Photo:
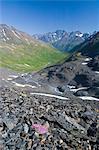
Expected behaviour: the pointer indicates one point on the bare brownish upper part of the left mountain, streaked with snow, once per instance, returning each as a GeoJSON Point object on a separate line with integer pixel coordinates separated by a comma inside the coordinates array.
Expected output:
{"type": "Point", "coordinates": [9, 34]}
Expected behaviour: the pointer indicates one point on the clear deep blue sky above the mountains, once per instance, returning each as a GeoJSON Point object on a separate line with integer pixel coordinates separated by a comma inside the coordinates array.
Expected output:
{"type": "Point", "coordinates": [37, 16]}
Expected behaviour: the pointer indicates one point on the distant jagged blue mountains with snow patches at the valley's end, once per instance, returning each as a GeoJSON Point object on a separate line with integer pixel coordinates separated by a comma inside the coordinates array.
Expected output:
{"type": "Point", "coordinates": [63, 40]}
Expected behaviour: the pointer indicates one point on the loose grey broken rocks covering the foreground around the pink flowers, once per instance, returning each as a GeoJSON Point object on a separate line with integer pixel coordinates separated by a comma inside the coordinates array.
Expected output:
{"type": "Point", "coordinates": [72, 124]}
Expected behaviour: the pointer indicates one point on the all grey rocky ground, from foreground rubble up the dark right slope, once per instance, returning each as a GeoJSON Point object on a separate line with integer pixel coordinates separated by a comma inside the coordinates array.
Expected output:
{"type": "Point", "coordinates": [56, 108]}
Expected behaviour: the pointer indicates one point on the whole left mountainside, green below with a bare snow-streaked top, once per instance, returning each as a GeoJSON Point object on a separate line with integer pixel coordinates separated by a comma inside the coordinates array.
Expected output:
{"type": "Point", "coordinates": [20, 51]}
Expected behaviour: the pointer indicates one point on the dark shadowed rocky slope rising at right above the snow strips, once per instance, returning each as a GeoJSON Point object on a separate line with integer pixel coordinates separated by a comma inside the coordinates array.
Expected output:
{"type": "Point", "coordinates": [81, 69]}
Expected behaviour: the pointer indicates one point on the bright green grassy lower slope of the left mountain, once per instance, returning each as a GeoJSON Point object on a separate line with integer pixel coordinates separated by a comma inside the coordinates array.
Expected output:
{"type": "Point", "coordinates": [29, 58]}
